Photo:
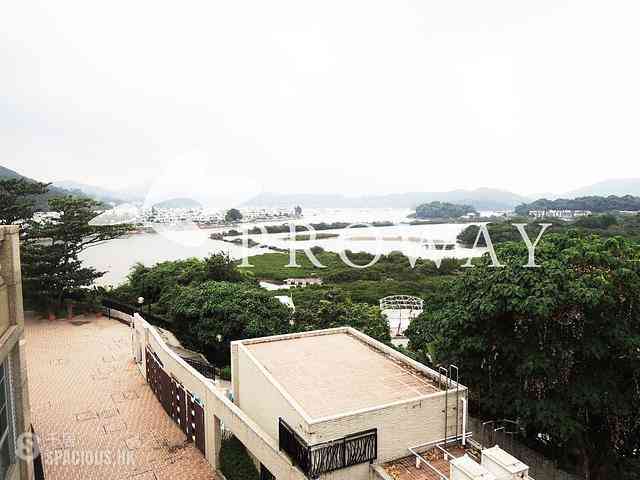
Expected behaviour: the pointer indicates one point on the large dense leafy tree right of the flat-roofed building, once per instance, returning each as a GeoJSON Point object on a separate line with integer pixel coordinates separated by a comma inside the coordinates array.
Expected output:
{"type": "Point", "coordinates": [557, 347]}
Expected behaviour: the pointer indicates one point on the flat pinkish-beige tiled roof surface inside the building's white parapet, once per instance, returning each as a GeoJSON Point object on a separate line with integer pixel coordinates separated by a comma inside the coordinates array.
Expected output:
{"type": "Point", "coordinates": [337, 373]}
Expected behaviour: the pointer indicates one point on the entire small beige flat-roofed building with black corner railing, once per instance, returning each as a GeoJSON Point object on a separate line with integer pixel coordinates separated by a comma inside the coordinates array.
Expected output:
{"type": "Point", "coordinates": [340, 390]}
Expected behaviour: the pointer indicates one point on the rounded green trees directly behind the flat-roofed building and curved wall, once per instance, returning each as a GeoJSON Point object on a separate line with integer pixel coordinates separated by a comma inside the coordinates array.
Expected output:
{"type": "Point", "coordinates": [201, 299]}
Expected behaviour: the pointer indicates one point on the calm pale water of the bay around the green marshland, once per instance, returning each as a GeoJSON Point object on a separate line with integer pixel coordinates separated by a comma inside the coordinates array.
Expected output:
{"type": "Point", "coordinates": [116, 257]}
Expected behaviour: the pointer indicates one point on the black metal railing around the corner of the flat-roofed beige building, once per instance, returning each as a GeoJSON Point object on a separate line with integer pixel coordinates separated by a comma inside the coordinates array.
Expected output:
{"type": "Point", "coordinates": [327, 457]}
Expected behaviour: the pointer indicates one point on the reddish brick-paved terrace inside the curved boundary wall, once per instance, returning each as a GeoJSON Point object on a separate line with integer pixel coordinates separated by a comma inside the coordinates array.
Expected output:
{"type": "Point", "coordinates": [95, 416]}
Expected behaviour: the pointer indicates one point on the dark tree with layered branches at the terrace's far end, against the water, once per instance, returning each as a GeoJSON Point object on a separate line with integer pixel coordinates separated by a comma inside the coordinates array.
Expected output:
{"type": "Point", "coordinates": [52, 269]}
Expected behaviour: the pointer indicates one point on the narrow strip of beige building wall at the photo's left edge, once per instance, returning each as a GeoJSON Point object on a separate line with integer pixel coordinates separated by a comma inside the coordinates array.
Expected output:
{"type": "Point", "coordinates": [12, 342]}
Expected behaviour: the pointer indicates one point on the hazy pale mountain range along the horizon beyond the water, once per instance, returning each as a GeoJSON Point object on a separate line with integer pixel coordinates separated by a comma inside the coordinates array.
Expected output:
{"type": "Point", "coordinates": [480, 198]}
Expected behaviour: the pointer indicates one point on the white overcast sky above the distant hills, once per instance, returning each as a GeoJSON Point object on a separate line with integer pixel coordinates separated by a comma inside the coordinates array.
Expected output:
{"type": "Point", "coordinates": [332, 96]}
